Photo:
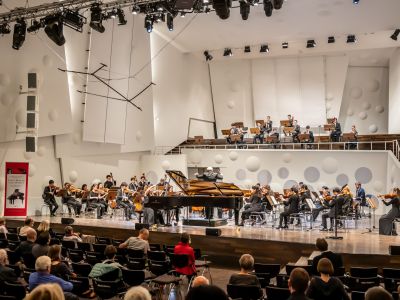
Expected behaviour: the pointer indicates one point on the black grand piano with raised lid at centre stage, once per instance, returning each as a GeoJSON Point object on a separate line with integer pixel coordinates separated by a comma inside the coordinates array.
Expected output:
{"type": "Point", "coordinates": [199, 193]}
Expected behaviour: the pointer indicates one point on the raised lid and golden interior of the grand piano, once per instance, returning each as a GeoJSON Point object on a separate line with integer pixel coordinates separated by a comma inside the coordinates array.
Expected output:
{"type": "Point", "coordinates": [199, 187]}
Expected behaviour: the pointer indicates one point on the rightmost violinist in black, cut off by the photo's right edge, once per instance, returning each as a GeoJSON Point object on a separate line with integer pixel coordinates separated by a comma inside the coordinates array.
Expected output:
{"type": "Point", "coordinates": [386, 222]}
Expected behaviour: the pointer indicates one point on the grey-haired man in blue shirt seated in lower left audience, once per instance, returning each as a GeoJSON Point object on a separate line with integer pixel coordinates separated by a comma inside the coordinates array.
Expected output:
{"type": "Point", "coordinates": [42, 275]}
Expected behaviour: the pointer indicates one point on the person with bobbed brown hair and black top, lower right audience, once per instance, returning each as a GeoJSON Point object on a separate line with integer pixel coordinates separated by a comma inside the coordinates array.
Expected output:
{"type": "Point", "coordinates": [326, 287]}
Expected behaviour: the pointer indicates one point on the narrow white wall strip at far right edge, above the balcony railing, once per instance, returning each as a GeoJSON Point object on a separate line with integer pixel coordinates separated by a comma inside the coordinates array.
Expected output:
{"type": "Point", "coordinates": [394, 92]}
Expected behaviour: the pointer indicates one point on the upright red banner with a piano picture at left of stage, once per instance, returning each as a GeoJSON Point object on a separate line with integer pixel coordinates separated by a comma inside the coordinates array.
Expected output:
{"type": "Point", "coordinates": [16, 189]}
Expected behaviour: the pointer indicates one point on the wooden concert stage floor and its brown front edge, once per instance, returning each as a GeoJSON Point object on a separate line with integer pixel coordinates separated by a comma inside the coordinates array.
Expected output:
{"type": "Point", "coordinates": [266, 244]}
